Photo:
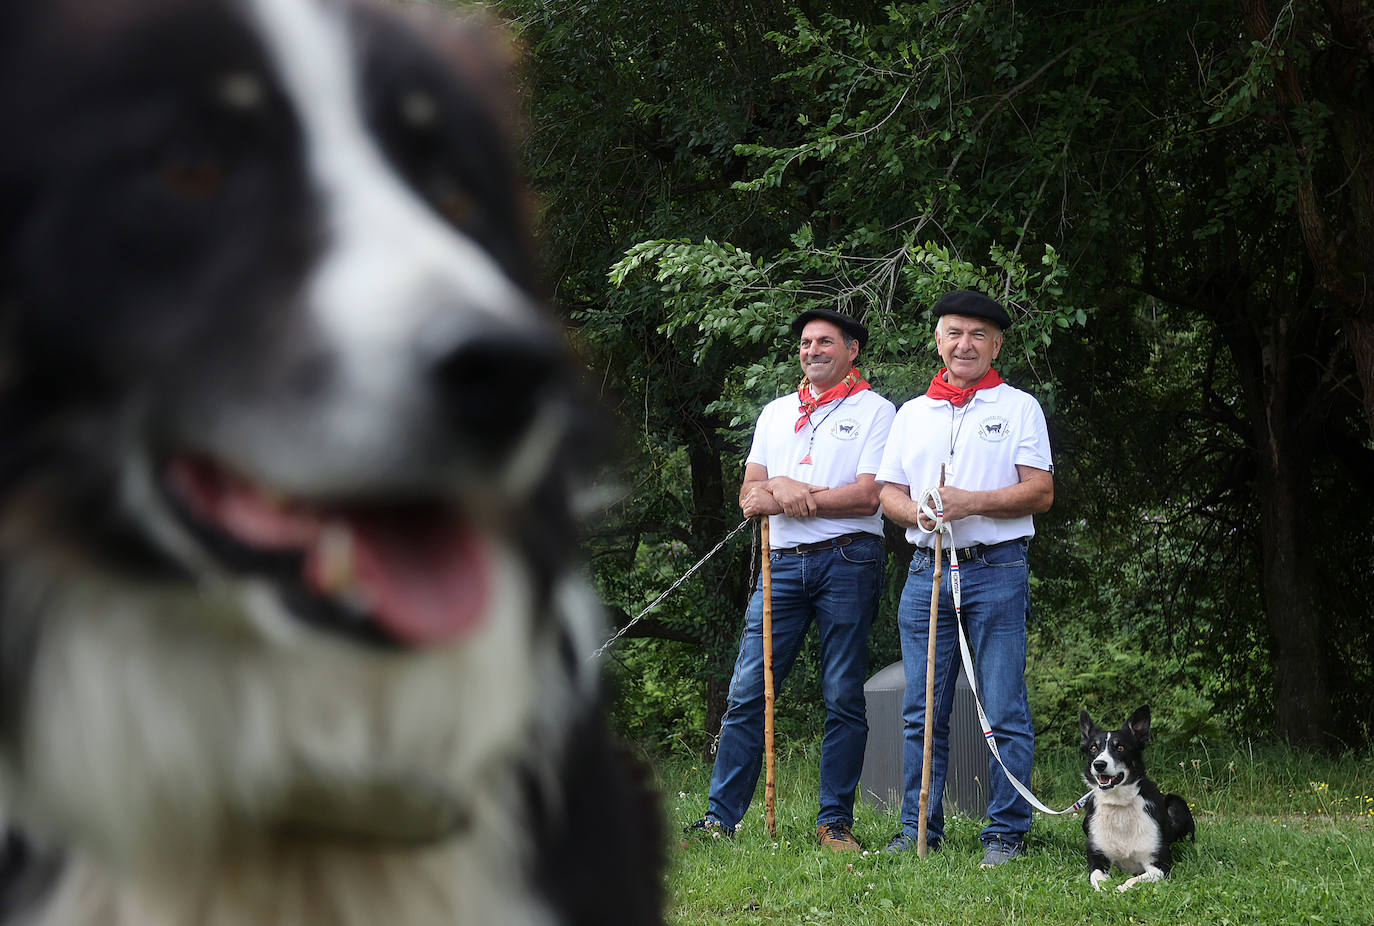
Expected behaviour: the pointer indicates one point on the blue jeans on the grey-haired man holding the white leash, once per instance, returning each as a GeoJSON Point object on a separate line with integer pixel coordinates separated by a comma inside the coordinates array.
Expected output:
{"type": "Point", "coordinates": [997, 602]}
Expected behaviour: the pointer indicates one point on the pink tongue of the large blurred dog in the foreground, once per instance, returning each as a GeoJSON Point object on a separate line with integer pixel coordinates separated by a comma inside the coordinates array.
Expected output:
{"type": "Point", "coordinates": [425, 582]}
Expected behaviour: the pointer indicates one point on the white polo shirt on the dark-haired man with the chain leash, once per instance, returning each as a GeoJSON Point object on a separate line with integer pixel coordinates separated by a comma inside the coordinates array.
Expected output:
{"type": "Point", "coordinates": [850, 438]}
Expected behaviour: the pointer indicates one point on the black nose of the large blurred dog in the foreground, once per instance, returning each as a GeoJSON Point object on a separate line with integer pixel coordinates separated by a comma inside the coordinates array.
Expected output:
{"type": "Point", "coordinates": [494, 383]}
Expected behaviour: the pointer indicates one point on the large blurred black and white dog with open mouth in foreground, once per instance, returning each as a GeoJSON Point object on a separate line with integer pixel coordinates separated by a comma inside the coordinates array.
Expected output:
{"type": "Point", "coordinates": [291, 622]}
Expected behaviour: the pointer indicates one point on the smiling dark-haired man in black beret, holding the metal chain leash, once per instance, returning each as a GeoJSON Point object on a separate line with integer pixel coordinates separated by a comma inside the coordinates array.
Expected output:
{"type": "Point", "coordinates": [811, 471]}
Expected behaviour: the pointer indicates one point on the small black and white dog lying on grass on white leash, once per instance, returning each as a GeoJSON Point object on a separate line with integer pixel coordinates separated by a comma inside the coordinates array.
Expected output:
{"type": "Point", "coordinates": [1127, 821]}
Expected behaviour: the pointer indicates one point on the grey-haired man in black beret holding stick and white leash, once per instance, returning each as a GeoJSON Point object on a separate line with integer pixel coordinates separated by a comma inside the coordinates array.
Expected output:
{"type": "Point", "coordinates": [991, 444]}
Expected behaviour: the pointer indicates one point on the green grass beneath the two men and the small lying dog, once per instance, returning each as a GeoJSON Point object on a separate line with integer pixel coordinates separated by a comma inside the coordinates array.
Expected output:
{"type": "Point", "coordinates": [1283, 839]}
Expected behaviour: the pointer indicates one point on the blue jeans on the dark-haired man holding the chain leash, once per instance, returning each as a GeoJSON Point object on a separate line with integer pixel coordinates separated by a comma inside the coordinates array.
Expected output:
{"type": "Point", "coordinates": [840, 590]}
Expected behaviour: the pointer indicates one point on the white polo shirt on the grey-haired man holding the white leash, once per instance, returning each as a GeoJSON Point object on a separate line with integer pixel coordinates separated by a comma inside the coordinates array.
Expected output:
{"type": "Point", "coordinates": [980, 444]}
